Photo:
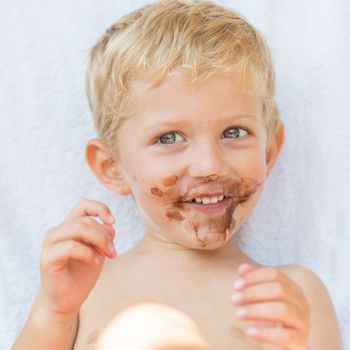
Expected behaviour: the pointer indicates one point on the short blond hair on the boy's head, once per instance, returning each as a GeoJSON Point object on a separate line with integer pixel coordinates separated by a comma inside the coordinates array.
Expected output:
{"type": "Point", "coordinates": [200, 37]}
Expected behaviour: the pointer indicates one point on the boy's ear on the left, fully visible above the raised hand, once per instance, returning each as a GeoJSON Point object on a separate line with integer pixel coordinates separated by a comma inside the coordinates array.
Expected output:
{"type": "Point", "coordinates": [106, 167]}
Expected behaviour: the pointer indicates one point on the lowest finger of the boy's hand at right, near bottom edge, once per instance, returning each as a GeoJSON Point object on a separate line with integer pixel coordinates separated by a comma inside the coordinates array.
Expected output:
{"type": "Point", "coordinates": [285, 337]}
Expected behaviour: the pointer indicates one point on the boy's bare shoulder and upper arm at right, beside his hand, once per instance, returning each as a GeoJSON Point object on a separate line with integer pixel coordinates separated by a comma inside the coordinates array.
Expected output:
{"type": "Point", "coordinates": [325, 330]}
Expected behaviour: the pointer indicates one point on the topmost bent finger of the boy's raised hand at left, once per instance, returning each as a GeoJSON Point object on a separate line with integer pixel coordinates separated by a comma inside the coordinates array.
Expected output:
{"type": "Point", "coordinates": [88, 207]}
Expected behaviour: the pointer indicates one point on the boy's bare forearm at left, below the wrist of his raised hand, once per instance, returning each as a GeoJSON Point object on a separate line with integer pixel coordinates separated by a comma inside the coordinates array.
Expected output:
{"type": "Point", "coordinates": [45, 330]}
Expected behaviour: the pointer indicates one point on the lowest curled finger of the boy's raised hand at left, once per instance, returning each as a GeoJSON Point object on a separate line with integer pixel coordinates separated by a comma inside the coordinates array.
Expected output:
{"type": "Point", "coordinates": [60, 253]}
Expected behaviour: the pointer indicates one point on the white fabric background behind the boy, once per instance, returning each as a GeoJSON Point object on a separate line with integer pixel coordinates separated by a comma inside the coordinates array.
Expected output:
{"type": "Point", "coordinates": [303, 216]}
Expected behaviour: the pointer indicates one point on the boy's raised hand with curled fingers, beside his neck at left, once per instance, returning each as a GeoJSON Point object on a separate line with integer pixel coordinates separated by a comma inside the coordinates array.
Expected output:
{"type": "Point", "coordinates": [72, 256]}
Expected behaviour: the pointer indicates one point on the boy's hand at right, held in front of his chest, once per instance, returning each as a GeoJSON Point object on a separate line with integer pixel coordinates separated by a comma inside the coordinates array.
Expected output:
{"type": "Point", "coordinates": [269, 297]}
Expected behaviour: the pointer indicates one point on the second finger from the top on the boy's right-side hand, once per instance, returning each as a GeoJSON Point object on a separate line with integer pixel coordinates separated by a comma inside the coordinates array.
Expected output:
{"type": "Point", "coordinates": [269, 291]}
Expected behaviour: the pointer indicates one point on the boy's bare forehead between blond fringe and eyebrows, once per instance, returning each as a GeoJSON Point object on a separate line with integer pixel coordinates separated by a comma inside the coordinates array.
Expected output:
{"type": "Point", "coordinates": [221, 94]}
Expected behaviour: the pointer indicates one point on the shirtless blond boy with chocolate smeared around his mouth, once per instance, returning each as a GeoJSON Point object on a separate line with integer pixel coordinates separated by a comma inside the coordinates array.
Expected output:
{"type": "Point", "coordinates": [182, 93]}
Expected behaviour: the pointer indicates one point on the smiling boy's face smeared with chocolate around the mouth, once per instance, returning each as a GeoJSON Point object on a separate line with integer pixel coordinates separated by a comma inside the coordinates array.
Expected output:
{"type": "Point", "coordinates": [189, 142]}
